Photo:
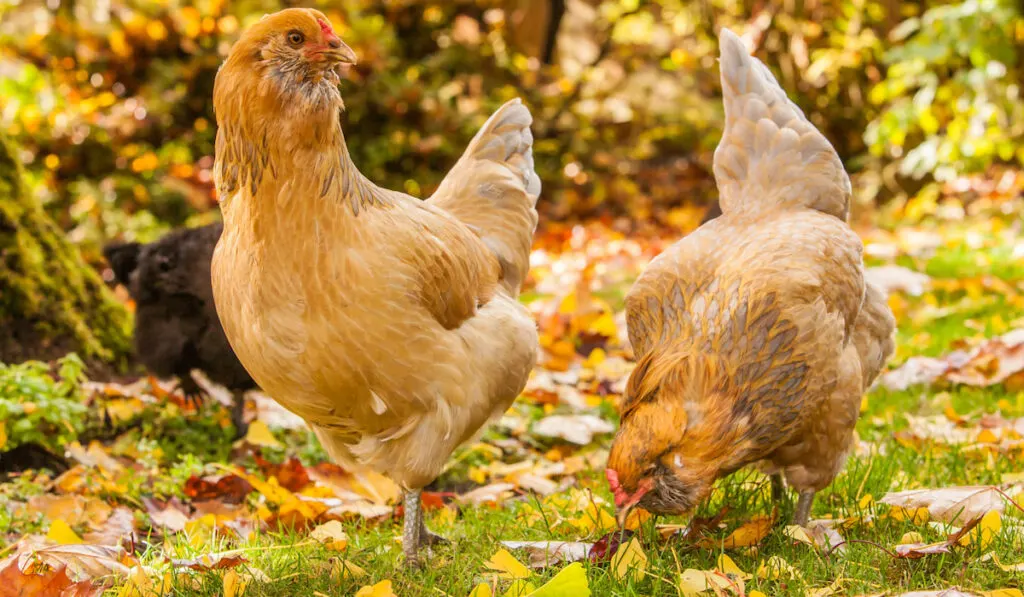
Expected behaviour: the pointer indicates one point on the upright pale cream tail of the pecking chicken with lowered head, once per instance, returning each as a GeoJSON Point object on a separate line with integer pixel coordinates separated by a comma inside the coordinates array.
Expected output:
{"type": "Point", "coordinates": [771, 155]}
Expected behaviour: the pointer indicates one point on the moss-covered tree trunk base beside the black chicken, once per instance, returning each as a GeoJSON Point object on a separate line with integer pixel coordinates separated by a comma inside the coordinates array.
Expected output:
{"type": "Point", "coordinates": [52, 303]}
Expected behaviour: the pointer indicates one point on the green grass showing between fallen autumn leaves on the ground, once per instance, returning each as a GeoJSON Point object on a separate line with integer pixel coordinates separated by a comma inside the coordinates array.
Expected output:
{"type": "Point", "coordinates": [296, 566]}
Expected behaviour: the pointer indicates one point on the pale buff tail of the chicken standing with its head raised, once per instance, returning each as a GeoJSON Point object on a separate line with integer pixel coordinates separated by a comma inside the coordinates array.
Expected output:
{"type": "Point", "coordinates": [494, 190]}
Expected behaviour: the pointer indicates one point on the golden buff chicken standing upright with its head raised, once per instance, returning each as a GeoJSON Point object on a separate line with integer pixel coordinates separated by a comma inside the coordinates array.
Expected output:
{"type": "Point", "coordinates": [390, 324]}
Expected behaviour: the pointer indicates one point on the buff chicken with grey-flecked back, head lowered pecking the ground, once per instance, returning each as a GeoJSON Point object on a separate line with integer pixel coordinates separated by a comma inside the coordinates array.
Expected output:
{"type": "Point", "coordinates": [757, 335]}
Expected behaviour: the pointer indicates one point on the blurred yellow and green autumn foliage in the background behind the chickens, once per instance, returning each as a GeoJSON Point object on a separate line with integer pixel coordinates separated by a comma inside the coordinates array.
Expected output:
{"type": "Point", "coordinates": [111, 100]}
